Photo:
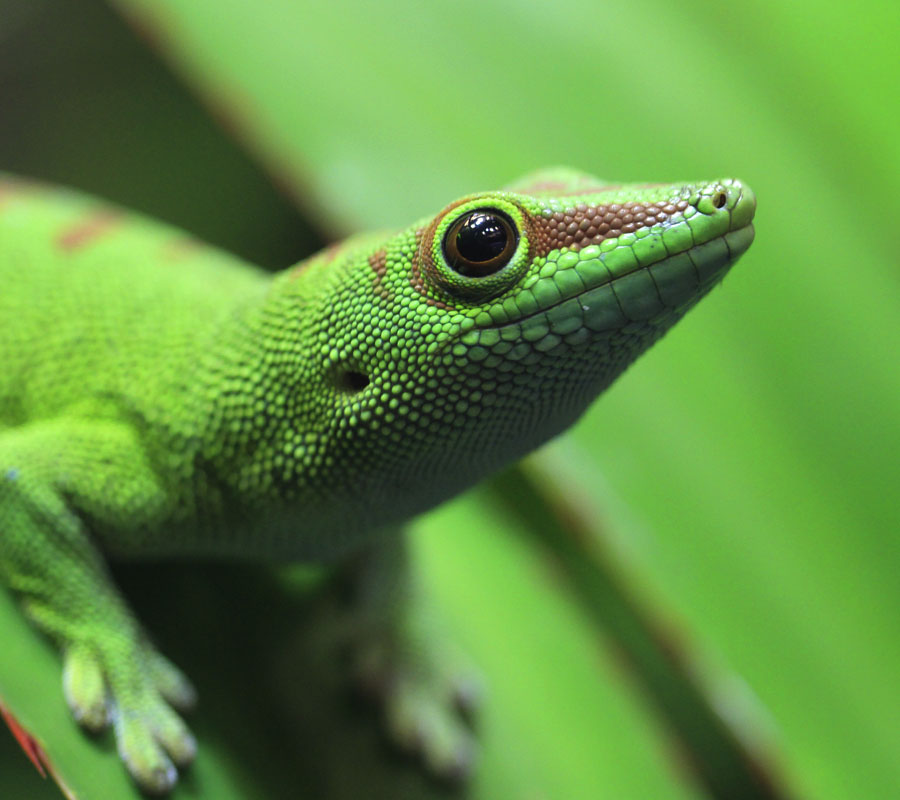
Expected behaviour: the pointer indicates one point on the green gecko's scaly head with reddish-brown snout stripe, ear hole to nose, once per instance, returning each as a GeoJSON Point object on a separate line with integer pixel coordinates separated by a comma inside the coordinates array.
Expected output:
{"type": "Point", "coordinates": [452, 347]}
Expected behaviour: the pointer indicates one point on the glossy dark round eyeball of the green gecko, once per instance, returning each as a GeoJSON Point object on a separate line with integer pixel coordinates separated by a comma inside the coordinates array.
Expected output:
{"type": "Point", "coordinates": [480, 243]}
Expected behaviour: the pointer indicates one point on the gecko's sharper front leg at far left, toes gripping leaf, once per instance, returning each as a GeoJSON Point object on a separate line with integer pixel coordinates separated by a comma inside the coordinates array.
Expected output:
{"type": "Point", "coordinates": [112, 675]}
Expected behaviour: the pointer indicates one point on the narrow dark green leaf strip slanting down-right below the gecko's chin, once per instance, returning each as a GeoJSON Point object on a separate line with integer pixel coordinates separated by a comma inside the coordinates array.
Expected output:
{"type": "Point", "coordinates": [540, 495]}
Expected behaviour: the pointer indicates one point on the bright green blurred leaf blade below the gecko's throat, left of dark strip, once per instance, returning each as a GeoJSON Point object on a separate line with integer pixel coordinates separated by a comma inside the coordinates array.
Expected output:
{"type": "Point", "coordinates": [581, 735]}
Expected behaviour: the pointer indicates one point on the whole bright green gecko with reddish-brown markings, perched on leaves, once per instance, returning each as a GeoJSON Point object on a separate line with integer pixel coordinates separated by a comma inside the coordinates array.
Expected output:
{"type": "Point", "coordinates": [159, 398]}
